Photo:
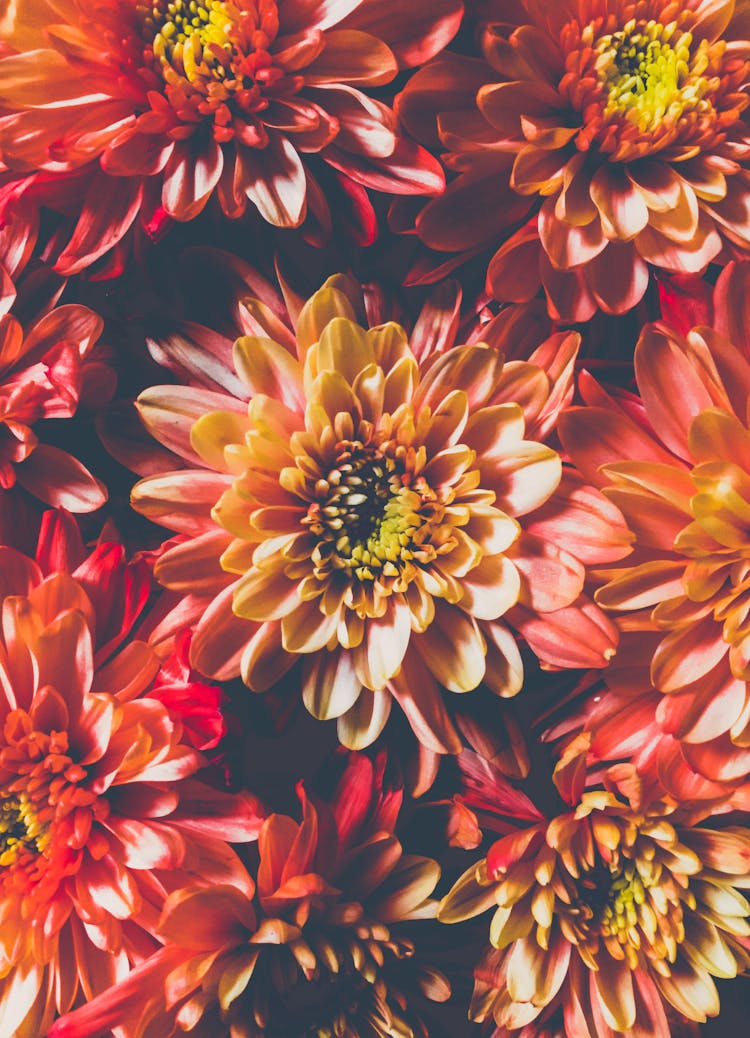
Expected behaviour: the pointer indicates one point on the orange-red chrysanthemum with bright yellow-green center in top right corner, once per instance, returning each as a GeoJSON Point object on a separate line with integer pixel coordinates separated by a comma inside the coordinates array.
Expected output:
{"type": "Point", "coordinates": [596, 140]}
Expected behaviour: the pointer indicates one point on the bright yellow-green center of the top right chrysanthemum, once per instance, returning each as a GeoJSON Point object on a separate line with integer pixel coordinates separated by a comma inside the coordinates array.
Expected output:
{"type": "Point", "coordinates": [650, 73]}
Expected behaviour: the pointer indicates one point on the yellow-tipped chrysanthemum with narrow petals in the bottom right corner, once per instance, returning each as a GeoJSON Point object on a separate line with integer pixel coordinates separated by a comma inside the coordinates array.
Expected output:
{"type": "Point", "coordinates": [614, 914]}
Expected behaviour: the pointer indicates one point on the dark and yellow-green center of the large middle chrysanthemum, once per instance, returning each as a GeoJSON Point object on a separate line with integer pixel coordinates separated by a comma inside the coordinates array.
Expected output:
{"type": "Point", "coordinates": [369, 516]}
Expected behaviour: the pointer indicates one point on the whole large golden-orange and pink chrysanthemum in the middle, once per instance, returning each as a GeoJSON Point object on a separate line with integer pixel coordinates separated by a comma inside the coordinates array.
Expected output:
{"type": "Point", "coordinates": [366, 516]}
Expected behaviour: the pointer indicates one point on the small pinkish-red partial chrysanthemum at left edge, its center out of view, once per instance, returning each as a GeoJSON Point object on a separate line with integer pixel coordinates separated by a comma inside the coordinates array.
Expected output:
{"type": "Point", "coordinates": [45, 371]}
